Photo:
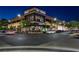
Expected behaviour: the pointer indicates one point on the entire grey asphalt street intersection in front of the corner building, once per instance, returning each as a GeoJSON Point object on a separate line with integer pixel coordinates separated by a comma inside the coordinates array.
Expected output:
{"type": "Point", "coordinates": [42, 40]}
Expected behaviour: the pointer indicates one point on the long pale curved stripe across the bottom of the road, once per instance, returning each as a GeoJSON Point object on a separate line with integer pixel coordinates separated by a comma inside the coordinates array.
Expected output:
{"type": "Point", "coordinates": [50, 47]}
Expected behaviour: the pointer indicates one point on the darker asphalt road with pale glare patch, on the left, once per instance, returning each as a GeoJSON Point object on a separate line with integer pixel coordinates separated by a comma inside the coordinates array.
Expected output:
{"type": "Point", "coordinates": [25, 39]}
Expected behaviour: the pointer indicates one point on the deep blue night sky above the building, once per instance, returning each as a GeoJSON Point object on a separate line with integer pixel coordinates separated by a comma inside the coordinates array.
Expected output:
{"type": "Point", "coordinates": [61, 12]}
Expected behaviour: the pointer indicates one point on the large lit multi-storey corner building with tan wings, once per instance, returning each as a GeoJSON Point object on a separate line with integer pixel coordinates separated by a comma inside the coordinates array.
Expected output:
{"type": "Point", "coordinates": [37, 21]}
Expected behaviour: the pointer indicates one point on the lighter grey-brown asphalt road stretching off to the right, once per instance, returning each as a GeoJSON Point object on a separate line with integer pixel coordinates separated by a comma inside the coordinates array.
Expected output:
{"type": "Point", "coordinates": [63, 40]}
